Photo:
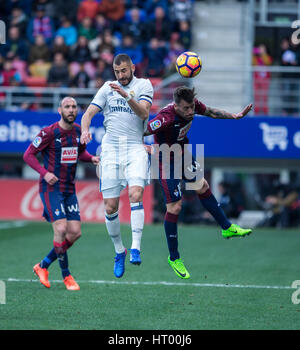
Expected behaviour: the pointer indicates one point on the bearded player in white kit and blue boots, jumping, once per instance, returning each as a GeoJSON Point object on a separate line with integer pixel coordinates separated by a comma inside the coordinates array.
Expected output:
{"type": "Point", "coordinates": [125, 104]}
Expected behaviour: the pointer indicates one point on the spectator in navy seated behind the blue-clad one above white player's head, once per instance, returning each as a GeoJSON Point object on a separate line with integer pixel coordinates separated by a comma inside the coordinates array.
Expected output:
{"type": "Point", "coordinates": [135, 25]}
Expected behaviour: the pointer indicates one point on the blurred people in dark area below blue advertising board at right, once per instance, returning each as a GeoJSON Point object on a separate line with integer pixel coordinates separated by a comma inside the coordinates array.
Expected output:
{"type": "Point", "coordinates": [278, 202]}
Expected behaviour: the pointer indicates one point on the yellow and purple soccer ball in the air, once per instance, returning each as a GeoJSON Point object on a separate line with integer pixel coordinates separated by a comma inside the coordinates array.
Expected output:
{"type": "Point", "coordinates": [188, 64]}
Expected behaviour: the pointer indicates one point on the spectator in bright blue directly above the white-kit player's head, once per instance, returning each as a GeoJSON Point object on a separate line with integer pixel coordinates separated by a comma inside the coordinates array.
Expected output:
{"type": "Point", "coordinates": [134, 51]}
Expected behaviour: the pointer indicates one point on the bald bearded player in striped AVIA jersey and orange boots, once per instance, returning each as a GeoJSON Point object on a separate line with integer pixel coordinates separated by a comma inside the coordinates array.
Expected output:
{"type": "Point", "coordinates": [60, 147]}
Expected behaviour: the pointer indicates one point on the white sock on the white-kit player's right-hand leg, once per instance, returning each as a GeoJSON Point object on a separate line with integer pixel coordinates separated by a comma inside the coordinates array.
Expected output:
{"type": "Point", "coordinates": [137, 224]}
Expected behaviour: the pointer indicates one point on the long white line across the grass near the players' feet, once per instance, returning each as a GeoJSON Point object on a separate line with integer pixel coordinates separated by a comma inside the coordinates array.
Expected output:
{"type": "Point", "coordinates": [163, 283]}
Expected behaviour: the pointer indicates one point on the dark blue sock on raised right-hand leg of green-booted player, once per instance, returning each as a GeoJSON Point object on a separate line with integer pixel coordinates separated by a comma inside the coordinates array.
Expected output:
{"type": "Point", "coordinates": [210, 203]}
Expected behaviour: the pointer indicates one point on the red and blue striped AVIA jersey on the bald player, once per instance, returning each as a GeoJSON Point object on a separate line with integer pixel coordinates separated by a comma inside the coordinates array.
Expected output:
{"type": "Point", "coordinates": [60, 150]}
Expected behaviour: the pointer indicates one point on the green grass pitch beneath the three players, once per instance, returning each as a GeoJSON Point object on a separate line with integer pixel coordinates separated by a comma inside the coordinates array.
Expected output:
{"type": "Point", "coordinates": [242, 283]}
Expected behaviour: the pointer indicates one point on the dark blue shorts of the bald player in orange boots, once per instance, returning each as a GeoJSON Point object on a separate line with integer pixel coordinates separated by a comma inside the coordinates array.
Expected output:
{"type": "Point", "coordinates": [59, 205]}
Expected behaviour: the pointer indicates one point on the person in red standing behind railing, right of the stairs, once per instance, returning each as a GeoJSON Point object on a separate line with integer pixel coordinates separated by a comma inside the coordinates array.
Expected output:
{"type": "Point", "coordinates": [261, 79]}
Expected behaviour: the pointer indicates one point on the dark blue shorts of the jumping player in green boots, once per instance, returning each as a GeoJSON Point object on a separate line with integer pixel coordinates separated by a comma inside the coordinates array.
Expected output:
{"type": "Point", "coordinates": [171, 186]}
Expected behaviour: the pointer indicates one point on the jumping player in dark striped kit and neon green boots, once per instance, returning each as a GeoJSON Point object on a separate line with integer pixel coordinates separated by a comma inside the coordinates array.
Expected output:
{"type": "Point", "coordinates": [170, 127]}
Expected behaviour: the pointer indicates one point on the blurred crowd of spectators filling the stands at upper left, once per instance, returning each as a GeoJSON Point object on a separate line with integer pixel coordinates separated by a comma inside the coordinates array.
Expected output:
{"type": "Point", "coordinates": [71, 43]}
